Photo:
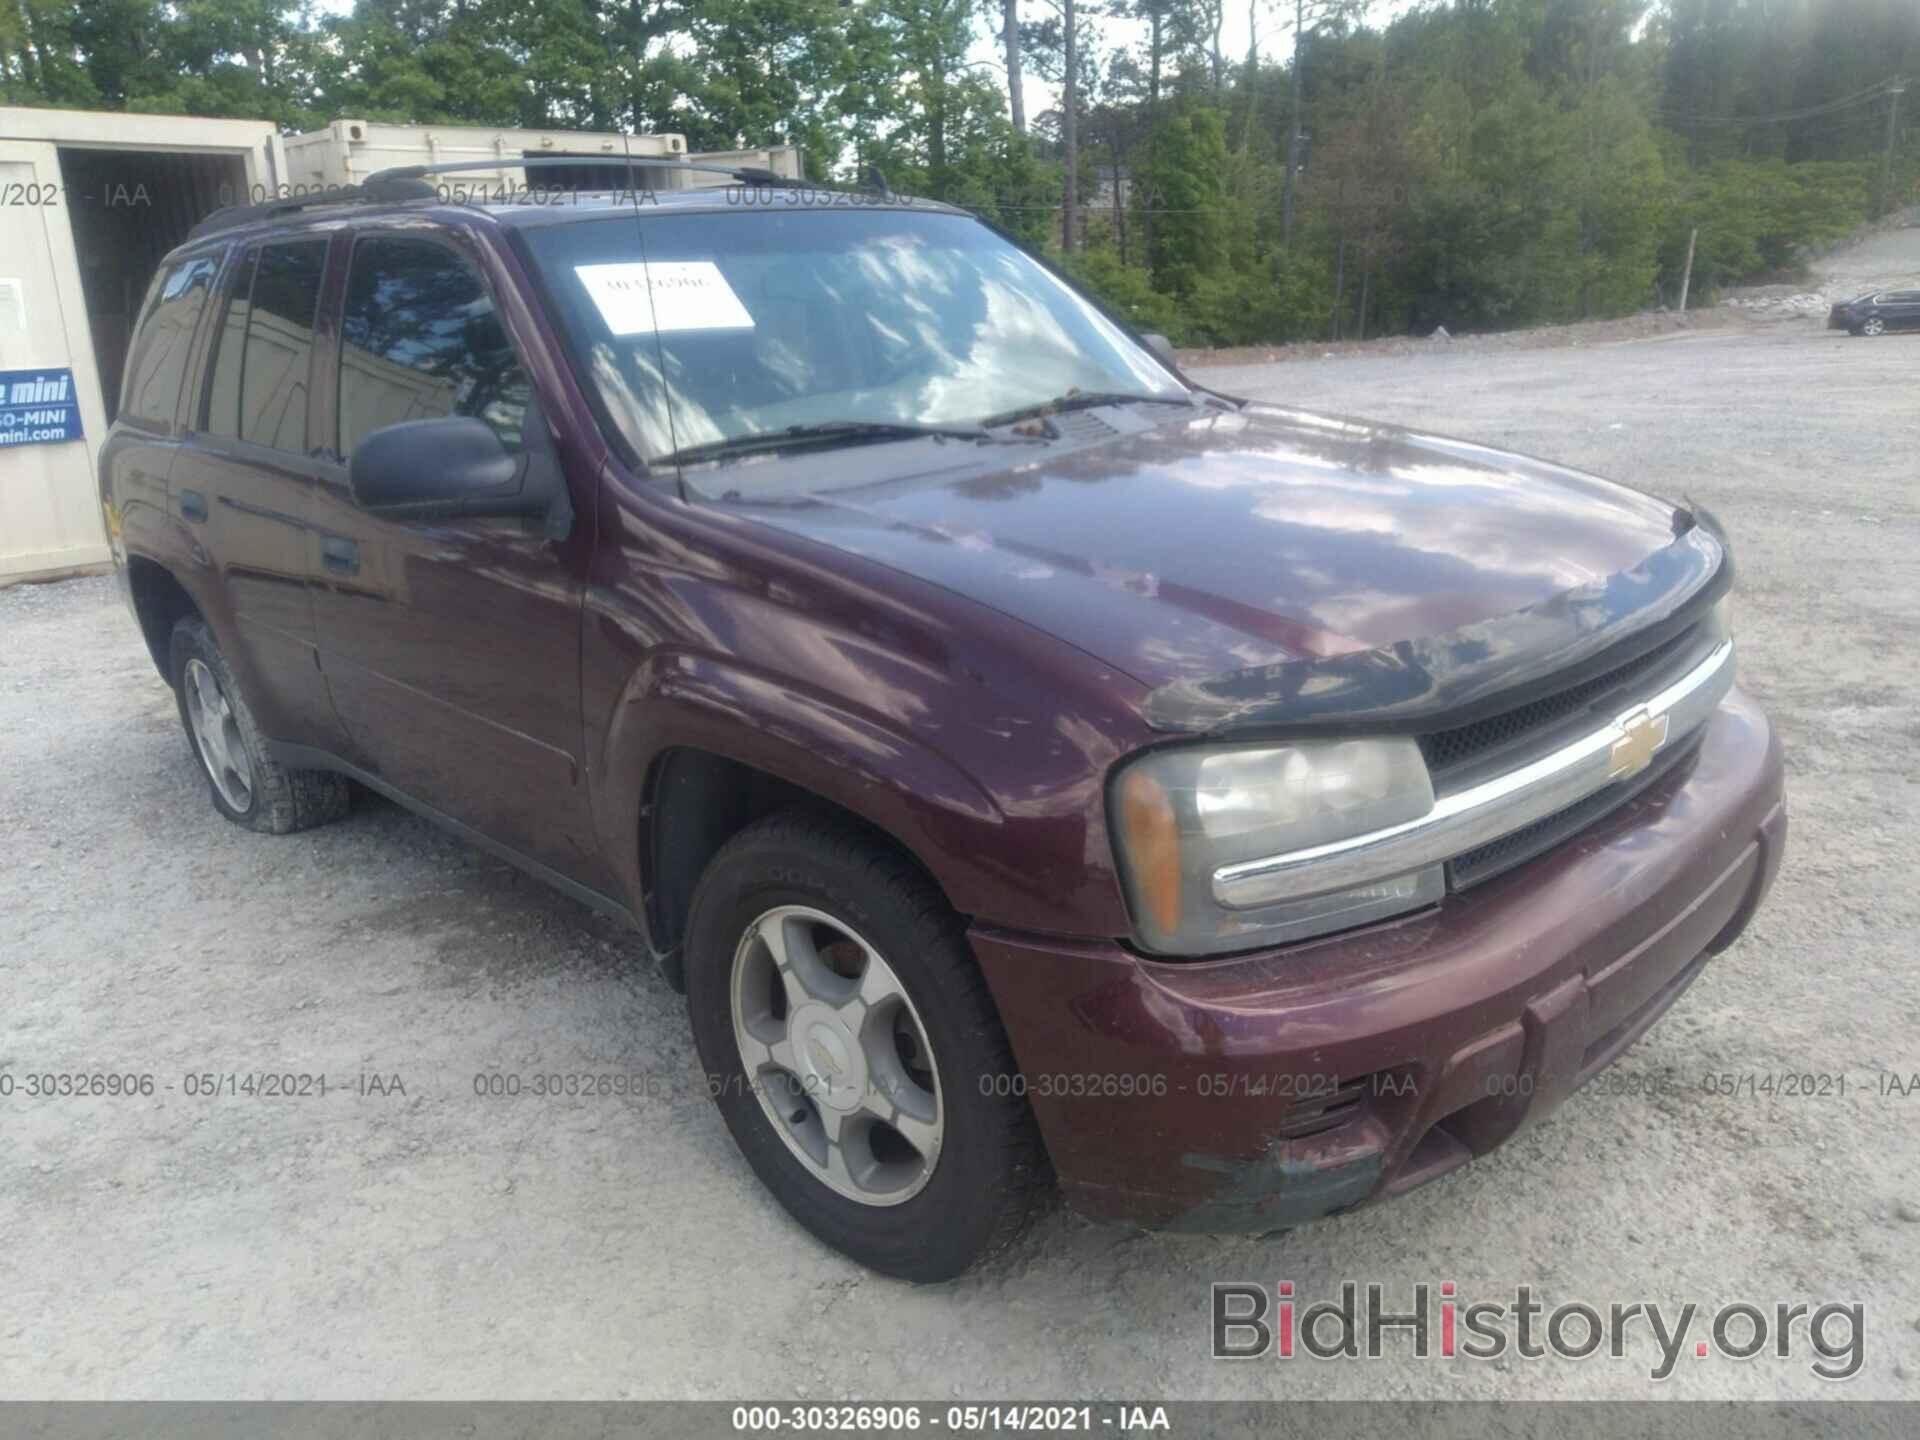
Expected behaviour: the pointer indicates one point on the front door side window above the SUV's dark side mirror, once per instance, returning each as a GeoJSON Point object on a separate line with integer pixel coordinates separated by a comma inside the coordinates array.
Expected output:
{"type": "Point", "coordinates": [420, 341]}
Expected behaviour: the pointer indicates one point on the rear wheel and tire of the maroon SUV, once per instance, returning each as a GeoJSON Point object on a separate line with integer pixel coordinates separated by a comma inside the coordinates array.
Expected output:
{"type": "Point", "coordinates": [247, 786]}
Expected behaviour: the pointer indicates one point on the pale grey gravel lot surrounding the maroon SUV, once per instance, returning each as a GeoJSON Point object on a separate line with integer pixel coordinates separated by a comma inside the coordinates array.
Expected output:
{"type": "Point", "coordinates": [437, 1245]}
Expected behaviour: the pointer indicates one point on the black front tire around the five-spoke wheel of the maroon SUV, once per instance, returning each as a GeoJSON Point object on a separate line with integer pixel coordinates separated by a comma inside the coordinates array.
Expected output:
{"type": "Point", "coordinates": [819, 876]}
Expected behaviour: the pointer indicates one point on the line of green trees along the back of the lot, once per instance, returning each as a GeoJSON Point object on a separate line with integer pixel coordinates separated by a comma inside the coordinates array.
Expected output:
{"type": "Point", "coordinates": [1474, 162]}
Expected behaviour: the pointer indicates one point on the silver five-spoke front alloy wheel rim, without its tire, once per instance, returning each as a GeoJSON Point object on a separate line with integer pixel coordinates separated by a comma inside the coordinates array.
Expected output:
{"type": "Point", "coordinates": [838, 1055]}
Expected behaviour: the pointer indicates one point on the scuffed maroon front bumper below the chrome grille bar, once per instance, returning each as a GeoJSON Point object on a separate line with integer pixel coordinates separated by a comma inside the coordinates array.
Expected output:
{"type": "Point", "coordinates": [1268, 1090]}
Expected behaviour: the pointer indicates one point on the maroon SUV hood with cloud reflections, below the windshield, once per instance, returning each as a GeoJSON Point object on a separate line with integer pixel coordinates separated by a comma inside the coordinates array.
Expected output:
{"type": "Point", "coordinates": [1189, 550]}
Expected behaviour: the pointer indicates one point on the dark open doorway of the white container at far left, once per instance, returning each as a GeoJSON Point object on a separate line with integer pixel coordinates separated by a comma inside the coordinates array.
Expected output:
{"type": "Point", "coordinates": [128, 210]}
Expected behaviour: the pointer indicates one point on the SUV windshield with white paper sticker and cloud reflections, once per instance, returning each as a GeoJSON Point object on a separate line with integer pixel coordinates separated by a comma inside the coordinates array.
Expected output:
{"type": "Point", "coordinates": [702, 329]}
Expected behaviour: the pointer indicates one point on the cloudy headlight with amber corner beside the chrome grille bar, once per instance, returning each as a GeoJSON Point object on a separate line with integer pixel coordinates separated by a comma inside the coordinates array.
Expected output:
{"type": "Point", "coordinates": [1180, 815]}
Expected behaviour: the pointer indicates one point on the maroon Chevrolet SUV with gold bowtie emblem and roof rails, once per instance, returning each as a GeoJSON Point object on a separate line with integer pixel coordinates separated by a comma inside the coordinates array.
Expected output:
{"type": "Point", "coordinates": [1040, 771]}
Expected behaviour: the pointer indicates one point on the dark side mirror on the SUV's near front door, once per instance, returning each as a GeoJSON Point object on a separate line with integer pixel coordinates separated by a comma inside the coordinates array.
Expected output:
{"type": "Point", "coordinates": [452, 468]}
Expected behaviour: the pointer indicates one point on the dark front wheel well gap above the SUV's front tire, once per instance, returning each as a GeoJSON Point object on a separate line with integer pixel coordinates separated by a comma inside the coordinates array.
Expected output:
{"type": "Point", "coordinates": [696, 804]}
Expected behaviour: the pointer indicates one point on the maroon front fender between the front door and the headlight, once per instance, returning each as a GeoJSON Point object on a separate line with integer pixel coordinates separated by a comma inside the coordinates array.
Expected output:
{"type": "Point", "coordinates": [974, 740]}
